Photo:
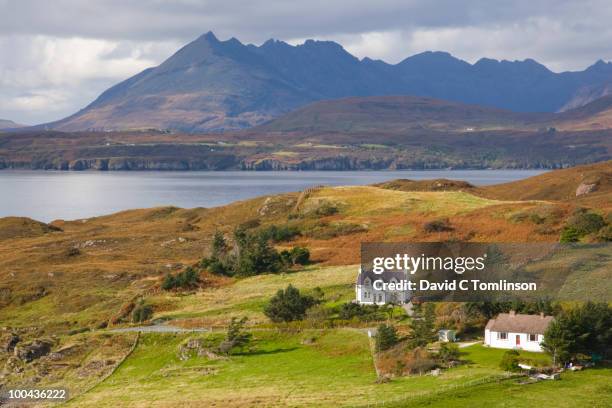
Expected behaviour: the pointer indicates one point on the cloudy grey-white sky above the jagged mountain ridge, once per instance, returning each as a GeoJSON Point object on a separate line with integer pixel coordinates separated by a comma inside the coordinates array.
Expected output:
{"type": "Point", "coordinates": [58, 56]}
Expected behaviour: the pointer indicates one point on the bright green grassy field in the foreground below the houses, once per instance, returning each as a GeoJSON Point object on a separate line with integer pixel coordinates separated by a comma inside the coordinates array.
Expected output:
{"type": "Point", "coordinates": [336, 370]}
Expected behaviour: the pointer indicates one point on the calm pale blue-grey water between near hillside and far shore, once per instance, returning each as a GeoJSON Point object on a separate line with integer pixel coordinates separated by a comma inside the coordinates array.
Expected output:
{"type": "Point", "coordinates": [47, 196]}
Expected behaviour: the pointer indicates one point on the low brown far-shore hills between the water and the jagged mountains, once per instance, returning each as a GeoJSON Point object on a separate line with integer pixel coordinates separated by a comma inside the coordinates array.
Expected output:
{"type": "Point", "coordinates": [383, 132]}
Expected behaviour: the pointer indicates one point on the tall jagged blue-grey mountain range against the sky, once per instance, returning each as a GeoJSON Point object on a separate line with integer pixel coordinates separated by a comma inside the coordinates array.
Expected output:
{"type": "Point", "coordinates": [212, 85]}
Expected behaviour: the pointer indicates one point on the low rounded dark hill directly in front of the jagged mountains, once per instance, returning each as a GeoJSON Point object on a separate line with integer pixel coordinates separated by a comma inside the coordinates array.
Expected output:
{"type": "Point", "coordinates": [399, 114]}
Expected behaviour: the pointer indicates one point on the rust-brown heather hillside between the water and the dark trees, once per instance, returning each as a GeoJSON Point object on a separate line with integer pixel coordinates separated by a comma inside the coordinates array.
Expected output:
{"type": "Point", "coordinates": [83, 273]}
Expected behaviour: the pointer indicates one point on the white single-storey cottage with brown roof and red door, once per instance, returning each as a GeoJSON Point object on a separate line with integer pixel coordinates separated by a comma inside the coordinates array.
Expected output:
{"type": "Point", "coordinates": [517, 331]}
